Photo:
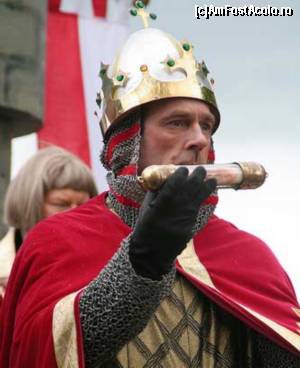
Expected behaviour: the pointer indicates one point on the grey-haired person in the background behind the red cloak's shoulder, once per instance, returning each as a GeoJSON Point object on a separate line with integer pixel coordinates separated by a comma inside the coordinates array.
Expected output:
{"type": "Point", "coordinates": [52, 181]}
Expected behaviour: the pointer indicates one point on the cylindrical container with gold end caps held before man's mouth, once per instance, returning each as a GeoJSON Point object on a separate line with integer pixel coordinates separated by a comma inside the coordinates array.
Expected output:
{"type": "Point", "coordinates": [236, 175]}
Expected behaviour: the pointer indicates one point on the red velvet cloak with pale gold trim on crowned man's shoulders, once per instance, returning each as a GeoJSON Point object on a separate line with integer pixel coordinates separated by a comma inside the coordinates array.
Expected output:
{"type": "Point", "coordinates": [39, 323]}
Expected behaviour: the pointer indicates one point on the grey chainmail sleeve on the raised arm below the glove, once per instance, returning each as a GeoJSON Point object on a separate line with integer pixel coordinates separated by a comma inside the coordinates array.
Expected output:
{"type": "Point", "coordinates": [116, 306]}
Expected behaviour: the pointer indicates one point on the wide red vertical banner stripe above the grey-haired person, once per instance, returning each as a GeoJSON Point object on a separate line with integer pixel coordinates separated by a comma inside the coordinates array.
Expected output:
{"type": "Point", "coordinates": [65, 122]}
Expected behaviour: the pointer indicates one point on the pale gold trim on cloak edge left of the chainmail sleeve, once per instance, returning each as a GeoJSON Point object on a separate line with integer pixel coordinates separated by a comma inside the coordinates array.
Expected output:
{"type": "Point", "coordinates": [64, 333]}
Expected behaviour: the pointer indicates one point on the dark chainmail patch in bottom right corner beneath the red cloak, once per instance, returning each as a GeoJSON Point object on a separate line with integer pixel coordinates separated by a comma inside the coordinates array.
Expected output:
{"type": "Point", "coordinates": [267, 354]}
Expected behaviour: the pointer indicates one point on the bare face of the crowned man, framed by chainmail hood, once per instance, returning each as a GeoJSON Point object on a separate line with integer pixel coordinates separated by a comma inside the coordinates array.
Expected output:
{"type": "Point", "coordinates": [176, 131]}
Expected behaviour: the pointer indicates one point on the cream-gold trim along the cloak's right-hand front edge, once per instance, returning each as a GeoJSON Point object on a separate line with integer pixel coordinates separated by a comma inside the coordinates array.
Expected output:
{"type": "Point", "coordinates": [191, 264]}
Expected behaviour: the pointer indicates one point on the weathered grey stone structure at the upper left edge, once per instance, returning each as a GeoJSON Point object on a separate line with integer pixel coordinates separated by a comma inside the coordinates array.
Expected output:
{"type": "Point", "coordinates": [22, 40]}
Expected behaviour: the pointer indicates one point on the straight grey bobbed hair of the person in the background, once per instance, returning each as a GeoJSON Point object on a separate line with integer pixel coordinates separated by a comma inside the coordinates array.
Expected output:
{"type": "Point", "coordinates": [50, 168]}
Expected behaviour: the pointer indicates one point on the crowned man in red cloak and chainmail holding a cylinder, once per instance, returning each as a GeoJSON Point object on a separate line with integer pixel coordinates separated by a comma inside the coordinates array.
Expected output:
{"type": "Point", "coordinates": [136, 279]}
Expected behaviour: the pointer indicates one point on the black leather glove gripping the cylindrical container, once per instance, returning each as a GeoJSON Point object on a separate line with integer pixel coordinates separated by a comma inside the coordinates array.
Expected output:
{"type": "Point", "coordinates": [166, 220]}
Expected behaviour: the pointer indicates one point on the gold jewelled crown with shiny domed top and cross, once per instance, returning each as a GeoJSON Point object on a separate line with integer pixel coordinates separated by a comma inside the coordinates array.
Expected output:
{"type": "Point", "coordinates": [152, 65]}
